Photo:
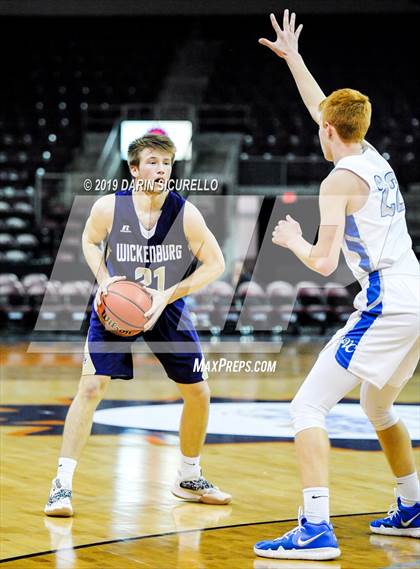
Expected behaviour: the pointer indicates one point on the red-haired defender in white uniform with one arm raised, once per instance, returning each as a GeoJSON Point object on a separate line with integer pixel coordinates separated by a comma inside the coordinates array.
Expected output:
{"type": "Point", "coordinates": [362, 213]}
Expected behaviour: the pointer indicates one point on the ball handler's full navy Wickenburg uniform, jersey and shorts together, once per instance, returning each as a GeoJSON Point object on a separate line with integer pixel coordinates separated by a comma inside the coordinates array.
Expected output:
{"type": "Point", "coordinates": [158, 258]}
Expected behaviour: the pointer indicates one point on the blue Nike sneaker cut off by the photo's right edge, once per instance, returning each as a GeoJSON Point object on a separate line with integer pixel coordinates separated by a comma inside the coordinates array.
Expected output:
{"type": "Point", "coordinates": [401, 520]}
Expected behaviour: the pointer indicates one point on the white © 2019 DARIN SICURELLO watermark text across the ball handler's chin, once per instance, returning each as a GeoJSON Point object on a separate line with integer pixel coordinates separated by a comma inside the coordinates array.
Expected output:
{"type": "Point", "coordinates": [181, 185]}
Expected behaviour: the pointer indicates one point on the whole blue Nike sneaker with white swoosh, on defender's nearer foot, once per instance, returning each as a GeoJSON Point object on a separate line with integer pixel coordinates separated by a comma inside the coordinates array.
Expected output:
{"type": "Point", "coordinates": [306, 541]}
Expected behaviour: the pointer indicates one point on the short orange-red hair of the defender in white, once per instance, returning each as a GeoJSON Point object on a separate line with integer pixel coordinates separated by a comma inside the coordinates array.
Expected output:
{"type": "Point", "coordinates": [349, 112]}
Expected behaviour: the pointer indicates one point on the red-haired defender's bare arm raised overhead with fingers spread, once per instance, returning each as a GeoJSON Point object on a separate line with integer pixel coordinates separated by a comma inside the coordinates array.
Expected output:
{"type": "Point", "coordinates": [286, 46]}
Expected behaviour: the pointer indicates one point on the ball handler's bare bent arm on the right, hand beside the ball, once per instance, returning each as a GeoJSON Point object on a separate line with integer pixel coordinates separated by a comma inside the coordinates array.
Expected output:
{"type": "Point", "coordinates": [205, 248]}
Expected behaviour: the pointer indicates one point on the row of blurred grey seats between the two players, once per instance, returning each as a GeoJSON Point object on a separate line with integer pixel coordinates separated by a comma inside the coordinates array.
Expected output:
{"type": "Point", "coordinates": [304, 307]}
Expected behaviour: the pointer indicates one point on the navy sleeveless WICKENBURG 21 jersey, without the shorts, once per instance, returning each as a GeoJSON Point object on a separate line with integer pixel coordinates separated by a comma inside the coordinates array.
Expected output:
{"type": "Point", "coordinates": [158, 258]}
